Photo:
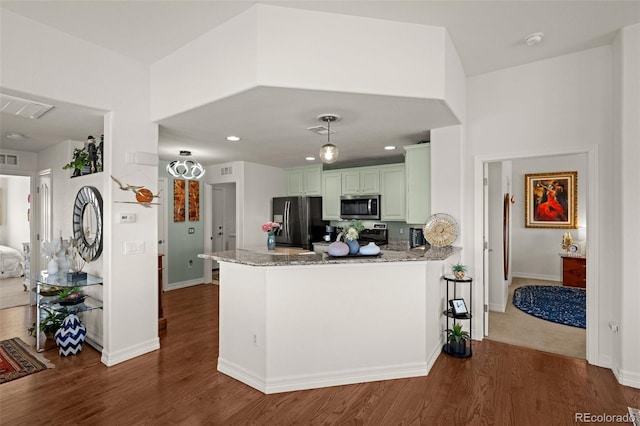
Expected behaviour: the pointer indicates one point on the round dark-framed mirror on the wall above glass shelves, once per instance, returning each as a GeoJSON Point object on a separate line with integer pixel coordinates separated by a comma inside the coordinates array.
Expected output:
{"type": "Point", "coordinates": [87, 223]}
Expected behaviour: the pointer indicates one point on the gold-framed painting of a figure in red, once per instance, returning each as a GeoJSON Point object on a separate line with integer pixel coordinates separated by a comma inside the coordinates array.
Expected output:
{"type": "Point", "coordinates": [551, 200]}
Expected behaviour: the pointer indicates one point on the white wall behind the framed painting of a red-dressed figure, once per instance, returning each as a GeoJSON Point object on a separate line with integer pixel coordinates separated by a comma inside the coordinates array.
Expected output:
{"type": "Point", "coordinates": [536, 250]}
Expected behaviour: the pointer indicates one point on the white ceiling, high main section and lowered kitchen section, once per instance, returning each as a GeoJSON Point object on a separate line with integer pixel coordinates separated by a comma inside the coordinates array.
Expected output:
{"type": "Point", "coordinates": [488, 36]}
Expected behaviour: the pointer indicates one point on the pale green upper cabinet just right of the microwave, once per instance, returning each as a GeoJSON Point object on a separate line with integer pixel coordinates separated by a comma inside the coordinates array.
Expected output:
{"type": "Point", "coordinates": [392, 192]}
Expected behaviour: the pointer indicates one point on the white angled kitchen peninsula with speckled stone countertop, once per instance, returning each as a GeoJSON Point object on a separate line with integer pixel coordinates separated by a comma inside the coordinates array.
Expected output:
{"type": "Point", "coordinates": [301, 321]}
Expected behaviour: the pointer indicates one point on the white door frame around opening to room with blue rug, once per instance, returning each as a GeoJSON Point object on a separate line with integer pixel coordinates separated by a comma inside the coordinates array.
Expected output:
{"type": "Point", "coordinates": [593, 231]}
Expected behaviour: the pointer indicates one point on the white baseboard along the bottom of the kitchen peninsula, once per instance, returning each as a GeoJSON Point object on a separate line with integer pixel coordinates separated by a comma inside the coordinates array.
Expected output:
{"type": "Point", "coordinates": [321, 380]}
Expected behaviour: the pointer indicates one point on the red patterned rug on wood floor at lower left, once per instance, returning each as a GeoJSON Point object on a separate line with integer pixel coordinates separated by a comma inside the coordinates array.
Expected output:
{"type": "Point", "coordinates": [17, 360]}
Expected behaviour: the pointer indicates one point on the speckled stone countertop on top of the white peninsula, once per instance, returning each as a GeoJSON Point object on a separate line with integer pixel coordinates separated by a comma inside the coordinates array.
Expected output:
{"type": "Point", "coordinates": [259, 257]}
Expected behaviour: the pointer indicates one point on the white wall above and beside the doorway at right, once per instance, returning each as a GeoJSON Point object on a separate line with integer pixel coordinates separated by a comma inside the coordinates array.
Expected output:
{"type": "Point", "coordinates": [563, 103]}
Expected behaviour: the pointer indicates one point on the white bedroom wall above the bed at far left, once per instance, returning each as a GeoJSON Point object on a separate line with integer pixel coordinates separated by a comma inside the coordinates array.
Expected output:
{"type": "Point", "coordinates": [14, 226]}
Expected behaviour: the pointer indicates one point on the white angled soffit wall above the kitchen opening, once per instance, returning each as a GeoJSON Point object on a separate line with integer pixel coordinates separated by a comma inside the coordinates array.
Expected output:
{"type": "Point", "coordinates": [282, 47]}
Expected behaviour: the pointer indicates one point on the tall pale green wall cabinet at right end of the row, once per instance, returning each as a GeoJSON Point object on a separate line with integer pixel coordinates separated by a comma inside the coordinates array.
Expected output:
{"type": "Point", "coordinates": [418, 183]}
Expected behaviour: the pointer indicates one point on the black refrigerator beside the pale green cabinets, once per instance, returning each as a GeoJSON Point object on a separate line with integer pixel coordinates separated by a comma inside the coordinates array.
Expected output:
{"type": "Point", "coordinates": [300, 220]}
